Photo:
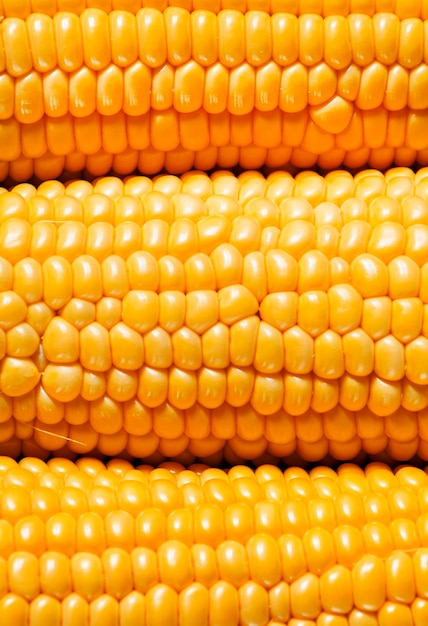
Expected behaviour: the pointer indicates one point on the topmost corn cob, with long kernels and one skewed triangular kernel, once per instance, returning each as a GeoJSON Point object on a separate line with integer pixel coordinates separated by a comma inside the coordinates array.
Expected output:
{"type": "Point", "coordinates": [175, 89]}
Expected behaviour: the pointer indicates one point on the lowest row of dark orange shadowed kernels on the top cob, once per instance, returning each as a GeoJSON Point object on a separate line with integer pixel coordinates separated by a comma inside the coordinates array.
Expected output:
{"type": "Point", "coordinates": [179, 161]}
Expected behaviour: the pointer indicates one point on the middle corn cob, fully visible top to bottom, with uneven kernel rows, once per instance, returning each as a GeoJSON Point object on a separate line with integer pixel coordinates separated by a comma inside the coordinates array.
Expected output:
{"type": "Point", "coordinates": [210, 316]}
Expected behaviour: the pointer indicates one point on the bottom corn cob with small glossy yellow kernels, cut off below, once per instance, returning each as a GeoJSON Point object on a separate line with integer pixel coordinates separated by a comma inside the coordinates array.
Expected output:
{"type": "Point", "coordinates": [90, 544]}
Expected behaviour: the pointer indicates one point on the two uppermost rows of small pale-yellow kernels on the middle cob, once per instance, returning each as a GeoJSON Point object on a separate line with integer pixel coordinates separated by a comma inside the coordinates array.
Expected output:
{"type": "Point", "coordinates": [367, 195]}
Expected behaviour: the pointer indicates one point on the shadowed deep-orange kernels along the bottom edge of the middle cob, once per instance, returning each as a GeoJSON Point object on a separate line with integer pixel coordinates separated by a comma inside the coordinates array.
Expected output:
{"type": "Point", "coordinates": [223, 434]}
